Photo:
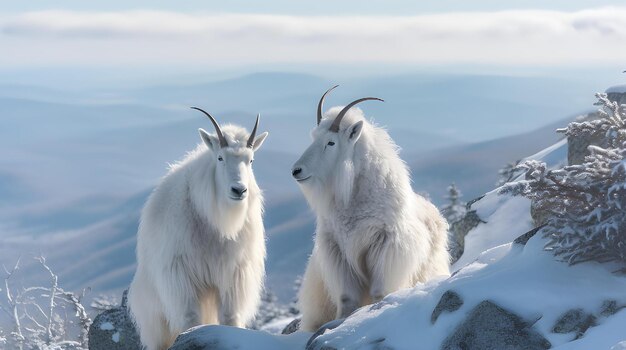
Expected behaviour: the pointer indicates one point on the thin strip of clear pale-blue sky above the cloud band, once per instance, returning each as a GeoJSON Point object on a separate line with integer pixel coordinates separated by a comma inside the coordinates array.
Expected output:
{"type": "Point", "coordinates": [317, 7]}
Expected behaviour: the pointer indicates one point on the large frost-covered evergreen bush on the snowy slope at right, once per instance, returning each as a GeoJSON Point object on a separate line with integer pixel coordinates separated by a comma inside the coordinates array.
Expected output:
{"type": "Point", "coordinates": [585, 204]}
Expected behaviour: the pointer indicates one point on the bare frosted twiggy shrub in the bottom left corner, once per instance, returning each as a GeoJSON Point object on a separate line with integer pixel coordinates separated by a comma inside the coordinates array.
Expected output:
{"type": "Point", "coordinates": [42, 317]}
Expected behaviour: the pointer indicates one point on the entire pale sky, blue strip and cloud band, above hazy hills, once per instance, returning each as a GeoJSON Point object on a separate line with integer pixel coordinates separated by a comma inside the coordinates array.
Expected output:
{"type": "Point", "coordinates": [243, 33]}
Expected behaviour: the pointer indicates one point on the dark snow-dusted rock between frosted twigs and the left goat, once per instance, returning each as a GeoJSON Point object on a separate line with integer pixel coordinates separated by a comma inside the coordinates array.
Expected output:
{"type": "Point", "coordinates": [114, 330]}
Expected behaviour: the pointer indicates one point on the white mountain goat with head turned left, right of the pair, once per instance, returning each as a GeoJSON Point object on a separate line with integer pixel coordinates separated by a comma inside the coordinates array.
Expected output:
{"type": "Point", "coordinates": [374, 234]}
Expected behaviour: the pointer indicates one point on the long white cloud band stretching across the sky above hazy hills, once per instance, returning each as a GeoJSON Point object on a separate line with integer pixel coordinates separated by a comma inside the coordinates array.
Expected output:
{"type": "Point", "coordinates": [134, 37]}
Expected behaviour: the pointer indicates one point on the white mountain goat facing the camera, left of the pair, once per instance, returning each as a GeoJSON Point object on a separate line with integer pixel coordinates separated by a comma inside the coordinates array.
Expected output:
{"type": "Point", "coordinates": [201, 244]}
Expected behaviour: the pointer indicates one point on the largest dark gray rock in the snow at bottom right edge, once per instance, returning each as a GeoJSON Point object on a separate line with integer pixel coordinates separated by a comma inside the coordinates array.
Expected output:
{"type": "Point", "coordinates": [490, 327]}
